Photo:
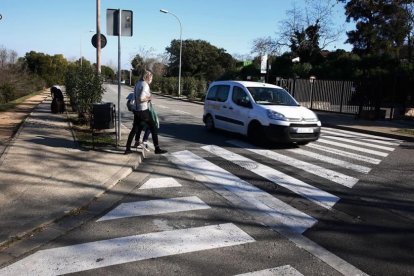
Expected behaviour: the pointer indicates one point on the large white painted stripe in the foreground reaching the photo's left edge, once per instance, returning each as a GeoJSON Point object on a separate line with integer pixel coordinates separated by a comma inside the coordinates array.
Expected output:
{"type": "Point", "coordinates": [92, 255]}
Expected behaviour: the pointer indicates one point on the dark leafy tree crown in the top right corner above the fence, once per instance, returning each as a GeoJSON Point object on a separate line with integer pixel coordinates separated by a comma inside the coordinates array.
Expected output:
{"type": "Point", "coordinates": [382, 26]}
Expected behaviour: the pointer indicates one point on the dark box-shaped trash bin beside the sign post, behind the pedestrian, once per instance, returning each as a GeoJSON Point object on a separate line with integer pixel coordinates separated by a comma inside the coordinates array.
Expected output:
{"type": "Point", "coordinates": [103, 116]}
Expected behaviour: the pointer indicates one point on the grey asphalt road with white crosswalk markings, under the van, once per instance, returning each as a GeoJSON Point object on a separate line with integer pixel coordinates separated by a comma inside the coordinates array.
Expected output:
{"type": "Point", "coordinates": [216, 205]}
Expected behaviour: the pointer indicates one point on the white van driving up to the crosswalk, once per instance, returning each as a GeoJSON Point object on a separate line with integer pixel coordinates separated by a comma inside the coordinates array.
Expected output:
{"type": "Point", "coordinates": [259, 110]}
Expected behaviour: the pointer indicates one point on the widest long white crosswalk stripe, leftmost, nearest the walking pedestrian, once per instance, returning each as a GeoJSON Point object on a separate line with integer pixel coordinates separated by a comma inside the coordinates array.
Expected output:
{"type": "Point", "coordinates": [242, 194]}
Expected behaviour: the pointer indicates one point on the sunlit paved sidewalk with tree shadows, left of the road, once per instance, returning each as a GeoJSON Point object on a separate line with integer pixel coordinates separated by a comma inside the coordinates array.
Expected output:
{"type": "Point", "coordinates": [44, 175]}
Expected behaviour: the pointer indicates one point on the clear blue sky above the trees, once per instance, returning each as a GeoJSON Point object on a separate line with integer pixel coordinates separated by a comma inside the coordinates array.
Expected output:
{"type": "Point", "coordinates": [66, 26]}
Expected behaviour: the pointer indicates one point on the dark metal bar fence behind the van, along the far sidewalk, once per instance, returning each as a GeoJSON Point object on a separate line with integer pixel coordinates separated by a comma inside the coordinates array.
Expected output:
{"type": "Point", "coordinates": [373, 98]}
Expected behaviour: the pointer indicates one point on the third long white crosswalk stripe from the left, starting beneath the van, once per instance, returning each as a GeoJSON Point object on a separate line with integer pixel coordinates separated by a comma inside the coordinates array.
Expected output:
{"type": "Point", "coordinates": [337, 177]}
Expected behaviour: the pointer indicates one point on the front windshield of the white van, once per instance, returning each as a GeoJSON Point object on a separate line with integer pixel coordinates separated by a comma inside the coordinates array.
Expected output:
{"type": "Point", "coordinates": [272, 96]}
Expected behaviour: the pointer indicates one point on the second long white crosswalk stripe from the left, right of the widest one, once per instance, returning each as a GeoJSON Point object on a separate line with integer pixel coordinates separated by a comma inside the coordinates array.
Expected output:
{"type": "Point", "coordinates": [314, 194]}
